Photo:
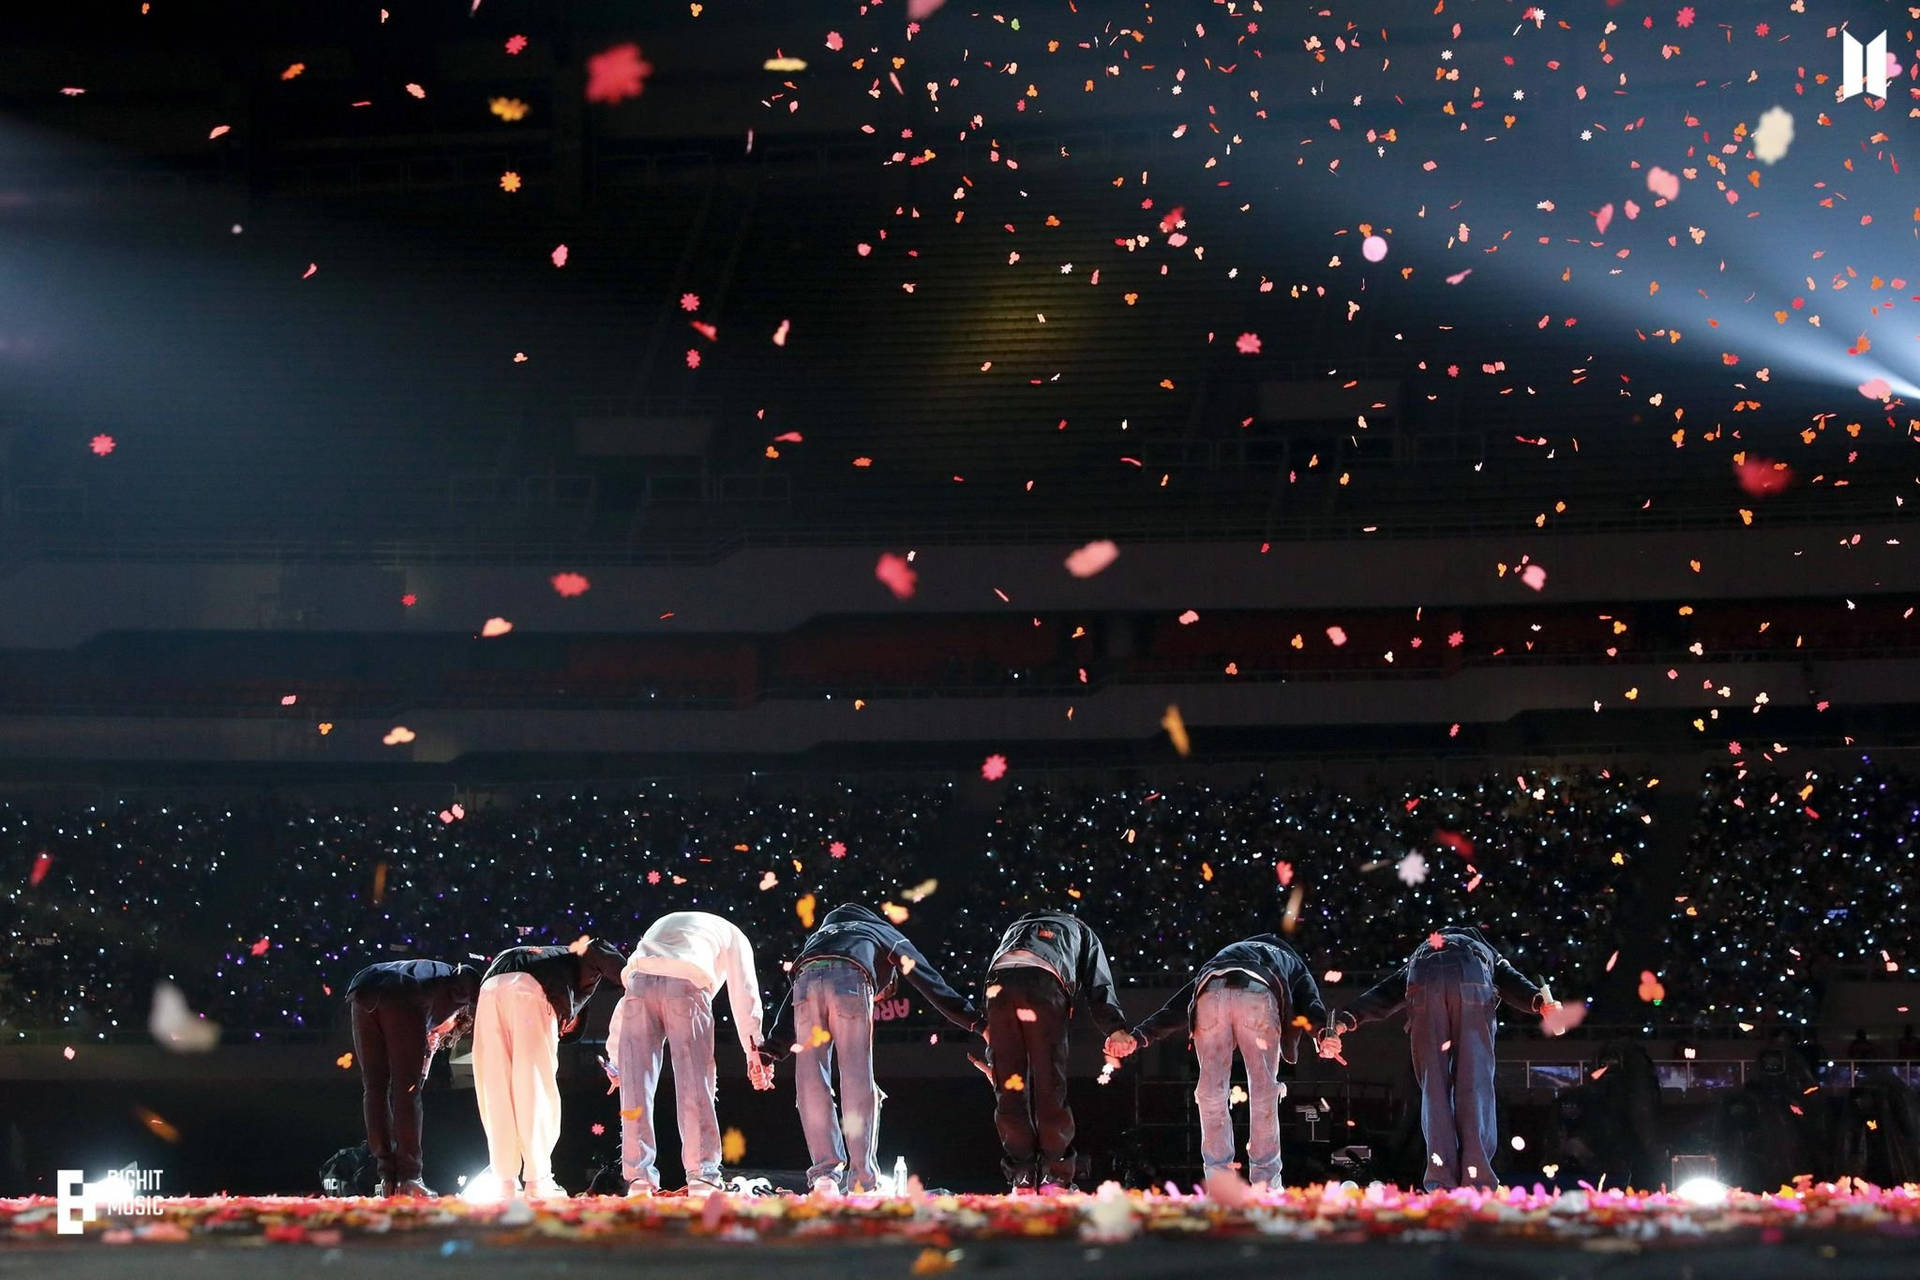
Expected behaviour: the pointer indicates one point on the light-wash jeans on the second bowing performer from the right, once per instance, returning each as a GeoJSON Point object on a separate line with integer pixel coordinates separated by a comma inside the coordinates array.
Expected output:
{"type": "Point", "coordinates": [1249, 1020]}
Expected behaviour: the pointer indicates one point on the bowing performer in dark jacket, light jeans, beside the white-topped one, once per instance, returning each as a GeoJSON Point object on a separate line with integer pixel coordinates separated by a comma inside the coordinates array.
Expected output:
{"type": "Point", "coordinates": [853, 959]}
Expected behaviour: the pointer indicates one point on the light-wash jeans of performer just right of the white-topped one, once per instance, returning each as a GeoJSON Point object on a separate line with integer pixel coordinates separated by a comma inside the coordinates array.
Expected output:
{"type": "Point", "coordinates": [838, 997]}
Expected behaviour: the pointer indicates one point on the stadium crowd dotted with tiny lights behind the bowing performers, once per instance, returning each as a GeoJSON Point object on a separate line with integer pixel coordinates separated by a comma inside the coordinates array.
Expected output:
{"type": "Point", "coordinates": [260, 914]}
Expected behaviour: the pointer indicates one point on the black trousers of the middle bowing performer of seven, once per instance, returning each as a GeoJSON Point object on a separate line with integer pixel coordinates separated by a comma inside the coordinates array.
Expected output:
{"type": "Point", "coordinates": [1028, 1018]}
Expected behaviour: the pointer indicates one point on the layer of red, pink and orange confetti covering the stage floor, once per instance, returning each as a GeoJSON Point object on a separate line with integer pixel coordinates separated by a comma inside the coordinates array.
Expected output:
{"type": "Point", "coordinates": [1332, 1214]}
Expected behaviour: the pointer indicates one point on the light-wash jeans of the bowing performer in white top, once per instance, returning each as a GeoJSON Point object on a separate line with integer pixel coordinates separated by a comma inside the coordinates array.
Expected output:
{"type": "Point", "coordinates": [667, 1014]}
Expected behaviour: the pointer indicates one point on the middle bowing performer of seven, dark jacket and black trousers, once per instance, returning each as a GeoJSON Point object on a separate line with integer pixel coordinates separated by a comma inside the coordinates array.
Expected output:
{"type": "Point", "coordinates": [1044, 964]}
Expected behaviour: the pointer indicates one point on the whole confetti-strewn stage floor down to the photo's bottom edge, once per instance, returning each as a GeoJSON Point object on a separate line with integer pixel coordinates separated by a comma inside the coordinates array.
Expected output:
{"type": "Point", "coordinates": [1333, 1233]}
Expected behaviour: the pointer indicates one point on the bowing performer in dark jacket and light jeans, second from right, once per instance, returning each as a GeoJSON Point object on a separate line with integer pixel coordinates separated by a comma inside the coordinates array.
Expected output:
{"type": "Point", "coordinates": [1259, 997]}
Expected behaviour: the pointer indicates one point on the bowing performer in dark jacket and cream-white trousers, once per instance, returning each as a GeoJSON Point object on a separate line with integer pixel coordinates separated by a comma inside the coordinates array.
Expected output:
{"type": "Point", "coordinates": [531, 1001]}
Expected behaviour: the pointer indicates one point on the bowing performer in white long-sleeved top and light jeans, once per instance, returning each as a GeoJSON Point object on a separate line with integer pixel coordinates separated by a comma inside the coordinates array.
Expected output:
{"type": "Point", "coordinates": [671, 984]}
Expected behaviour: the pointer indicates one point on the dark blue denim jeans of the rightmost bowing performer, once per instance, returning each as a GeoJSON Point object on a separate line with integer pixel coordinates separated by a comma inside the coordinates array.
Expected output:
{"type": "Point", "coordinates": [1451, 1020]}
